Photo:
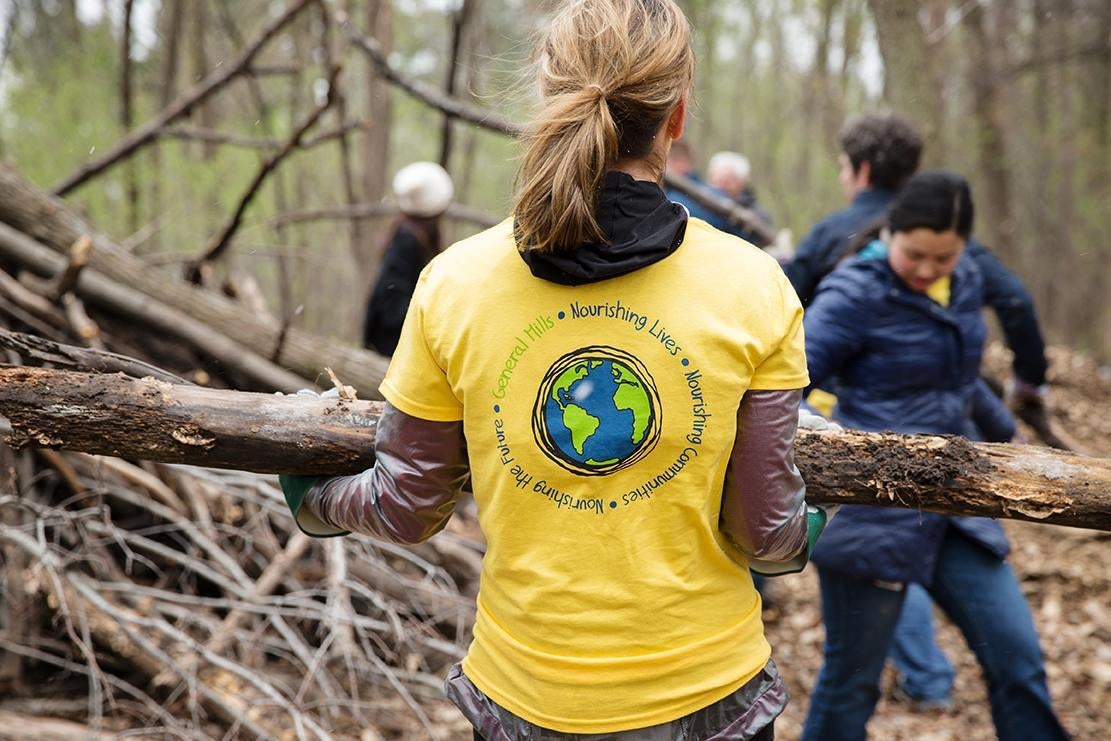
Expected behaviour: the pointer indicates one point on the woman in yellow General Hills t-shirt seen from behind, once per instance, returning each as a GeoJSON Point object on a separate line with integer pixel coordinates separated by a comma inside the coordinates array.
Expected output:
{"type": "Point", "coordinates": [622, 384]}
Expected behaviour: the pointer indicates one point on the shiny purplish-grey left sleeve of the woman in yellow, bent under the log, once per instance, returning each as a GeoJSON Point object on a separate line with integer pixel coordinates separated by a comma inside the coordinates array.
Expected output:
{"type": "Point", "coordinates": [411, 494]}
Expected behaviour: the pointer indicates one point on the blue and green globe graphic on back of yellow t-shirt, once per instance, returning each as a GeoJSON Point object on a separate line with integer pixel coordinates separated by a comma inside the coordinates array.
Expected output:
{"type": "Point", "coordinates": [597, 412]}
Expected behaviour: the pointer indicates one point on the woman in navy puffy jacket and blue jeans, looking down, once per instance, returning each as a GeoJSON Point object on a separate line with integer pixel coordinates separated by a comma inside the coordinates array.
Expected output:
{"type": "Point", "coordinates": [902, 332]}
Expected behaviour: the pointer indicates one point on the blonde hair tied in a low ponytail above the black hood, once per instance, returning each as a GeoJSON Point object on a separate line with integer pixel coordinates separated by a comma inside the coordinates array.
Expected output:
{"type": "Point", "coordinates": [610, 73]}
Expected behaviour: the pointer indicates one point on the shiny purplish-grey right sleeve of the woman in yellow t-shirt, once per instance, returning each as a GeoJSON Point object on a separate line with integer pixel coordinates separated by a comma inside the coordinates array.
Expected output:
{"type": "Point", "coordinates": [764, 506]}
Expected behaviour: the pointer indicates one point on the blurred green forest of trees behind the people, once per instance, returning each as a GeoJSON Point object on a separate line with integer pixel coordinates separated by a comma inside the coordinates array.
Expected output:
{"type": "Point", "coordinates": [1014, 94]}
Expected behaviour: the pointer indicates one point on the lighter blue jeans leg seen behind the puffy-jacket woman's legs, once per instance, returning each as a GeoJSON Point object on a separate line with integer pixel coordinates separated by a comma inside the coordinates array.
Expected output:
{"type": "Point", "coordinates": [925, 672]}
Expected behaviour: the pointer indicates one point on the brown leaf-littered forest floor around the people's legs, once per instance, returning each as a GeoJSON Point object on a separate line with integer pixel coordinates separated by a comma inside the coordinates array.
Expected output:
{"type": "Point", "coordinates": [1066, 574]}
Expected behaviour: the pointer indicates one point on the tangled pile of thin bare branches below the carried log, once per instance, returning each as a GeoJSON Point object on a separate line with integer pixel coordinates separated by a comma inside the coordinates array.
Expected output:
{"type": "Point", "coordinates": [185, 599]}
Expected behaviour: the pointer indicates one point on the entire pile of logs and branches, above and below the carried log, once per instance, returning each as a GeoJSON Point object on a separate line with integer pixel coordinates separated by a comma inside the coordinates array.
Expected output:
{"type": "Point", "coordinates": [139, 596]}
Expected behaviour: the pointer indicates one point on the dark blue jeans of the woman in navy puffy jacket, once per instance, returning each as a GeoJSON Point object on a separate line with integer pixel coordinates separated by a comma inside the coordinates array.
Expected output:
{"type": "Point", "coordinates": [984, 599]}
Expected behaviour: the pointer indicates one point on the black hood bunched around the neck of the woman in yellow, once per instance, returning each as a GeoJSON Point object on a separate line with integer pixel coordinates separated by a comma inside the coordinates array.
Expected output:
{"type": "Point", "coordinates": [640, 225]}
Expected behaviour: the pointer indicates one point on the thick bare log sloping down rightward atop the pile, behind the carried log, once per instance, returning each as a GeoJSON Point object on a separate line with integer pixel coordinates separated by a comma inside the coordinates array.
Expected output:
{"type": "Point", "coordinates": [49, 222]}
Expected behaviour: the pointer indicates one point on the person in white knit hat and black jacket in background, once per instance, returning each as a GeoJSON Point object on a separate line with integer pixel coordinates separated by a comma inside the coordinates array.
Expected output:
{"type": "Point", "coordinates": [424, 192]}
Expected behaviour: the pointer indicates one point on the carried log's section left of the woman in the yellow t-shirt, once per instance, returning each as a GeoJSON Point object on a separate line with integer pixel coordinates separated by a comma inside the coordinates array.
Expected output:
{"type": "Point", "coordinates": [114, 415]}
